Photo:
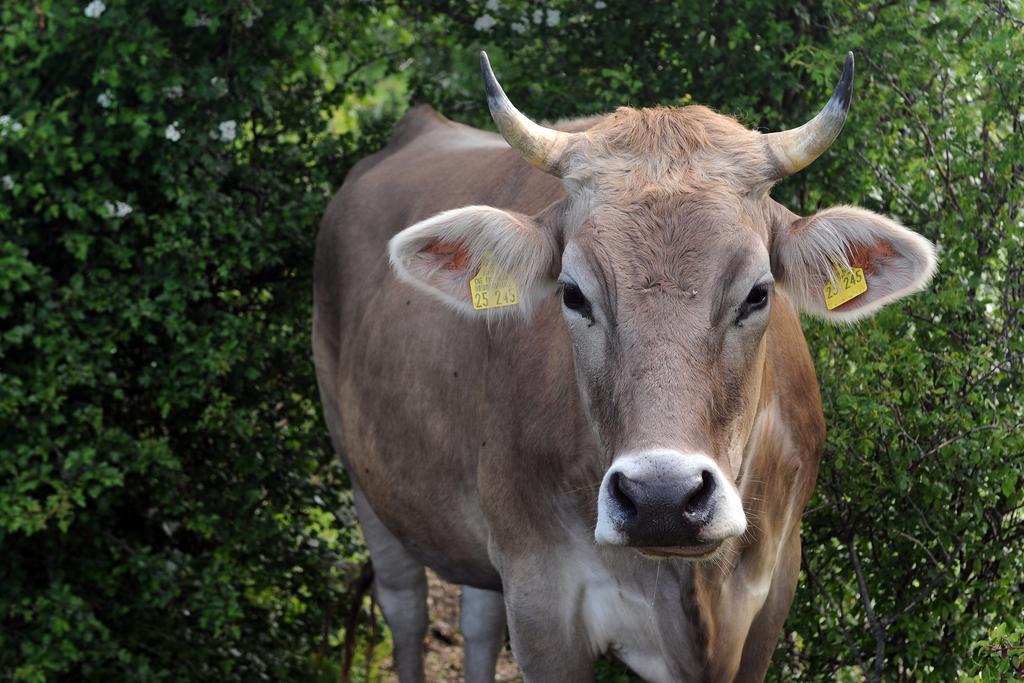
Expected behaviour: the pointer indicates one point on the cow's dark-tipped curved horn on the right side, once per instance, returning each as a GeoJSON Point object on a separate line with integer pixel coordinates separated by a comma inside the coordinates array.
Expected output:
{"type": "Point", "coordinates": [796, 149]}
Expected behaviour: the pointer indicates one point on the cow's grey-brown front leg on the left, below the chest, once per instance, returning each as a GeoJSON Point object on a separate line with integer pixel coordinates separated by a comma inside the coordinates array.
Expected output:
{"type": "Point", "coordinates": [548, 643]}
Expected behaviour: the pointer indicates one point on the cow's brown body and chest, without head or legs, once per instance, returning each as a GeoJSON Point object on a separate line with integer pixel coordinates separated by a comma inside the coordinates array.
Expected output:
{"type": "Point", "coordinates": [429, 412]}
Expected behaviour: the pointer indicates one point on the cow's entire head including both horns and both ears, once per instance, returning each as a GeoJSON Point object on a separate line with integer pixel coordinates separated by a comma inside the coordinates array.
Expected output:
{"type": "Point", "coordinates": [668, 253]}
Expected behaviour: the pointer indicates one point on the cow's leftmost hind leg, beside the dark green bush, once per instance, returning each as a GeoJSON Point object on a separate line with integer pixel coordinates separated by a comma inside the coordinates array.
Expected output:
{"type": "Point", "coordinates": [401, 589]}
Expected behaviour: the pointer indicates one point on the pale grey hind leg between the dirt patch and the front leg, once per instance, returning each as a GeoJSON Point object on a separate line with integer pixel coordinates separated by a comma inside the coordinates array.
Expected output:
{"type": "Point", "coordinates": [482, 617]}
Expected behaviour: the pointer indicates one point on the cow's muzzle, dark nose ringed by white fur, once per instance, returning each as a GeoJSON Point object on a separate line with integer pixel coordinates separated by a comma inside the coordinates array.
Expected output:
{"type": "Point", "coordinates": [668, 503]}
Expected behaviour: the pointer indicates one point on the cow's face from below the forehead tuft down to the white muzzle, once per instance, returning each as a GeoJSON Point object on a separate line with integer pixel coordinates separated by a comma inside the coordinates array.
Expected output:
{"type": "Point", "coordinates": [667, 301]}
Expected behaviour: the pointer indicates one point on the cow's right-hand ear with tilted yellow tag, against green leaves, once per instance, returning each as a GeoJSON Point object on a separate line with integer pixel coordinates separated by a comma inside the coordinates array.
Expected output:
{"type": "Point", "coordinates": [894, 262]}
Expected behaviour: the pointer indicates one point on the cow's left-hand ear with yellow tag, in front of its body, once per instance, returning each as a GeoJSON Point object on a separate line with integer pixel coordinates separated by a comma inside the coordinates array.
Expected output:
{"type": "Point", "coordinates": [442, 255]}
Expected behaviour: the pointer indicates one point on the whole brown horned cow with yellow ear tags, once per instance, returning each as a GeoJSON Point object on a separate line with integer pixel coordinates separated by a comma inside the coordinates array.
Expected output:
{"type": "Point", "coordinates": [565, 368]}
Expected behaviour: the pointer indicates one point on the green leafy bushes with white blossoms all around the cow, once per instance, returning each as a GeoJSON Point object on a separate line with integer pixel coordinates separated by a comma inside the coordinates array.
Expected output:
{"type": "Point", "coordinates": [169, 508]}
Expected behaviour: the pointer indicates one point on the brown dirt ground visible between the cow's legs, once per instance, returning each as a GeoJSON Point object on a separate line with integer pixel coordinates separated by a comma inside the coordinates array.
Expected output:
{"type": "Point", "coordinates": [443, 647]}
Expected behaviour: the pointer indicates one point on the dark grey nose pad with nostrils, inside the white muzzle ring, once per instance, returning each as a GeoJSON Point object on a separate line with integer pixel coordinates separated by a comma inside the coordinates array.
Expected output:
{"type": "Point", "coordinates": [662, 511]}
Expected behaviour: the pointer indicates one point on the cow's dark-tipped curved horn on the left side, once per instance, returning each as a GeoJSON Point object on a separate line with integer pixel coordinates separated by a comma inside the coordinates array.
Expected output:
{"type": "Point", "coordinates": [544, 148]}
